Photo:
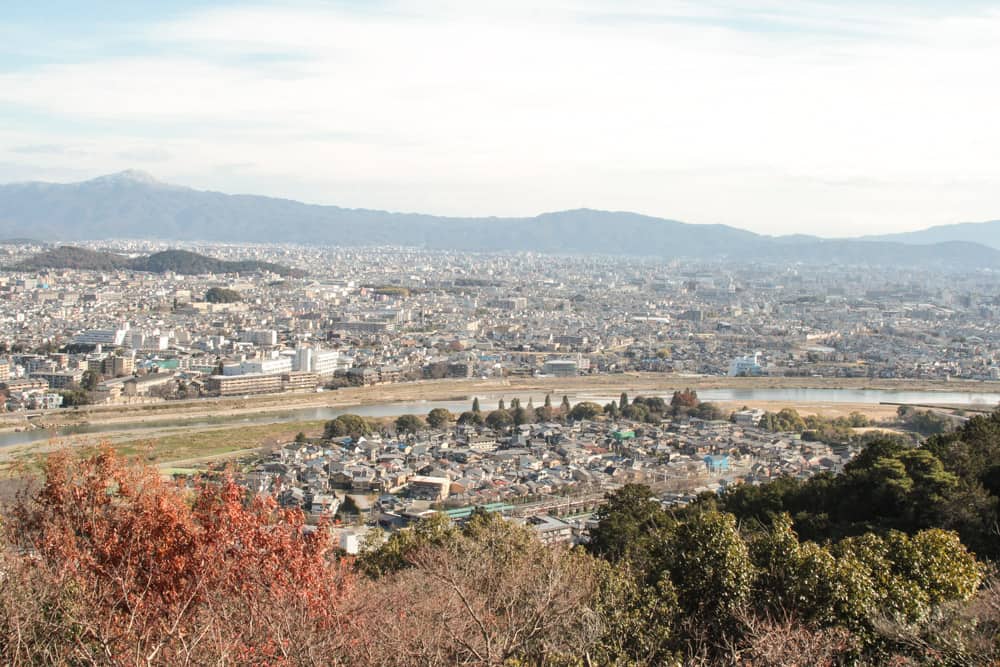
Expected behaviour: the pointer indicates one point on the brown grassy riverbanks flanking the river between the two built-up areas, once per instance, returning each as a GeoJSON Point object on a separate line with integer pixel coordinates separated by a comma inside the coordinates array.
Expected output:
{"type": "Point", "coordinates": [176, 434]}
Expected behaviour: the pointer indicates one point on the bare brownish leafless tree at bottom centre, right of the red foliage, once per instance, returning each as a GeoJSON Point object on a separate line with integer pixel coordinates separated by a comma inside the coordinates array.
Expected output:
{"type": "Point", "coordinates": [491, 594]}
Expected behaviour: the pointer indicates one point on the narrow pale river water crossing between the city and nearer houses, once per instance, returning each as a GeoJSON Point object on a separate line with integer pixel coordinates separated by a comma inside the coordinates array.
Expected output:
{"type": "Point", "coordinates": [804, 396]}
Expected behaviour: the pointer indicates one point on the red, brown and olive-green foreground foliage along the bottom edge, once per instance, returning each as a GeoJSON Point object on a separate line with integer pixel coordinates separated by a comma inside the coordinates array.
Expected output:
{"type": "Point", "coordinates": [107, 563]}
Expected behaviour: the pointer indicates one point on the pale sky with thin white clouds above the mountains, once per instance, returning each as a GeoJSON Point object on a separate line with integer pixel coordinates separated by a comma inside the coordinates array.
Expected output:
{"type": "Point", "coordinates": [834, 118]}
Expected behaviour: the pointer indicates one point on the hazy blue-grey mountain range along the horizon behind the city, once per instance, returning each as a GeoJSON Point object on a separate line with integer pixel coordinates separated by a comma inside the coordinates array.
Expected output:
{"type": "Point", "coordinates": [134, 205]}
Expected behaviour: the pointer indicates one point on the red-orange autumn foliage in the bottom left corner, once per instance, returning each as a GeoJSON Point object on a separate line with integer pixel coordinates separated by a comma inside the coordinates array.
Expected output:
{"type": "Point", "coordinates": [114, 565]}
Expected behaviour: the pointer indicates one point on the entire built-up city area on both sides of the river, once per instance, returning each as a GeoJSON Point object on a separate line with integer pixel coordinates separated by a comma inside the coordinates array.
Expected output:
{"type": "Point", "coordinates": [382, 315]}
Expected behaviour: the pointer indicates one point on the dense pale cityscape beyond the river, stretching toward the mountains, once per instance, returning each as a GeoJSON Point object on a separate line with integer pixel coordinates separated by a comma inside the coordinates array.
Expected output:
{"type": "Point", "coordinates": [381, 315]}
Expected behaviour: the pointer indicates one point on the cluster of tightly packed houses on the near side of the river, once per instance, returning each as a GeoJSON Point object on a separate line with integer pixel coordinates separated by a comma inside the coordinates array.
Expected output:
{"type": "Point", "coordinates": [532, 471]}
